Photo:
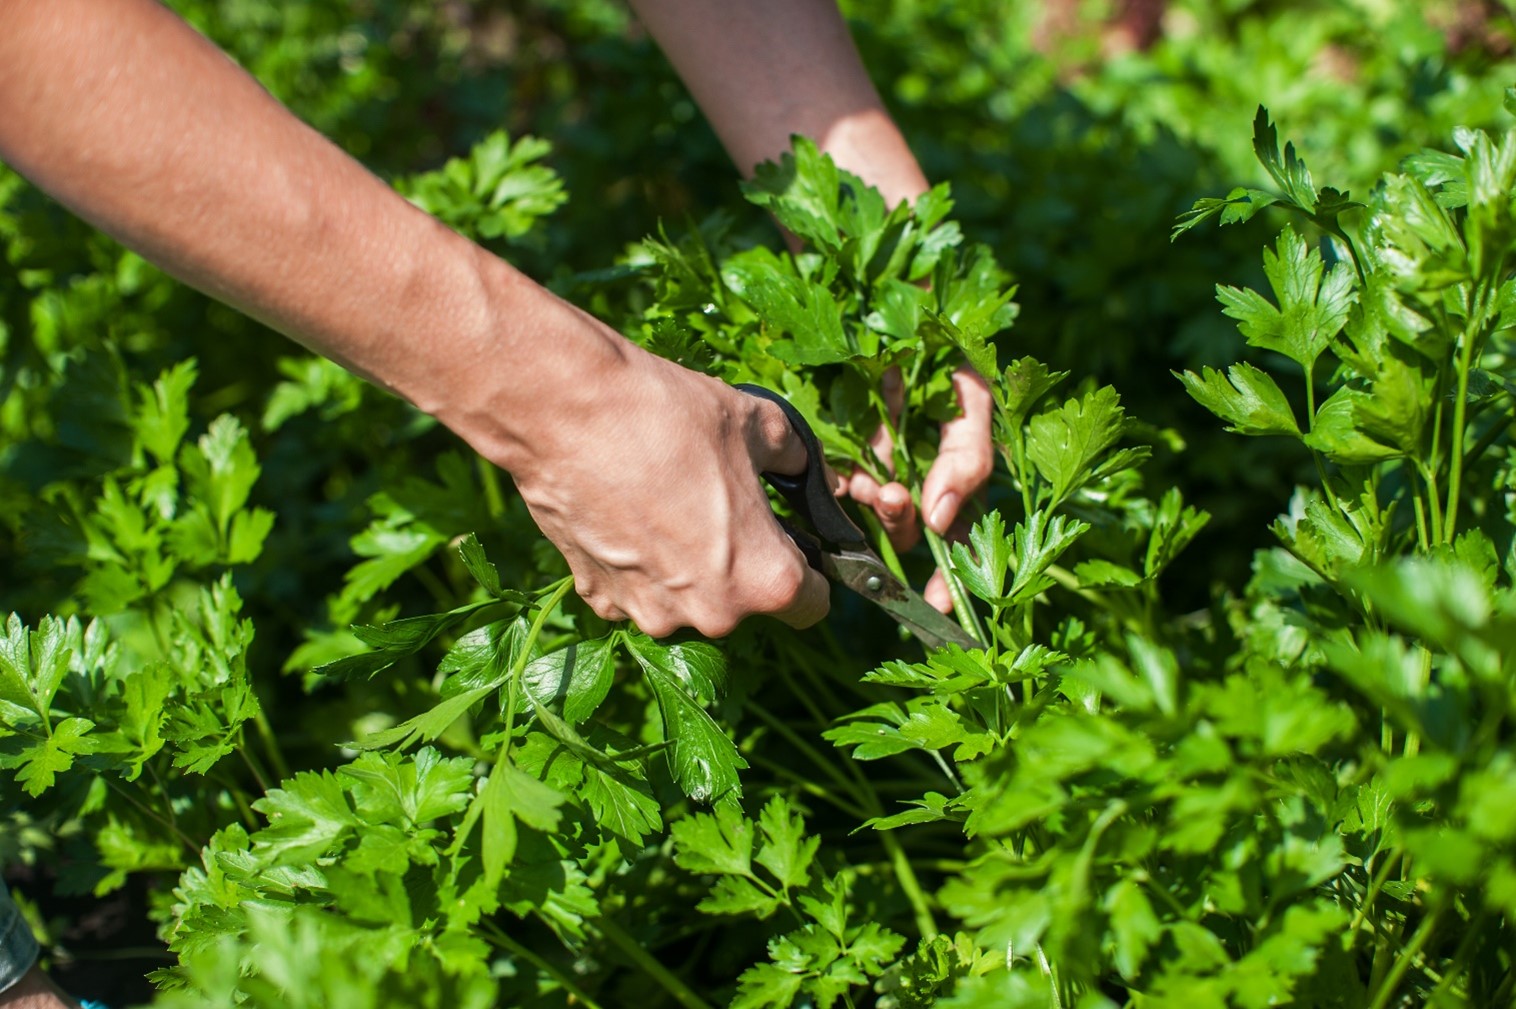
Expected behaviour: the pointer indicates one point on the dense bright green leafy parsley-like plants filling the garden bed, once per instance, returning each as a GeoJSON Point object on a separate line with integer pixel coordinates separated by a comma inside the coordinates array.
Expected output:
{"type": "Point", "coordinates": [1244, 726]}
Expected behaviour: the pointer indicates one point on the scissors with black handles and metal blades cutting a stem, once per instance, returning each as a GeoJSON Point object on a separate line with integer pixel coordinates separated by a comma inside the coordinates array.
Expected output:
{"type": "Point", "coordinates": [839, 549]}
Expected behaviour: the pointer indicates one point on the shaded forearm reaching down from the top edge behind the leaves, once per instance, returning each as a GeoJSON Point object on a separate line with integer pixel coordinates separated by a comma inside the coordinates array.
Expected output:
{"type": "Point", "coordinates": [765, 70]}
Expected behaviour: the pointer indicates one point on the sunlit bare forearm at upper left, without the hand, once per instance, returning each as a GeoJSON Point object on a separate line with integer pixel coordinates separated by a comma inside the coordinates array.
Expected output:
{"type": "Point", "coordinates": [130, 117]}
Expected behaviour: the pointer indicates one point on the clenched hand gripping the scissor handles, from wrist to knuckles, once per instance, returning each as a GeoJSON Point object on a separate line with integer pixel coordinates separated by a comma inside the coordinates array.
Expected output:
{"type": "Point", "coordinates": [648, 483]}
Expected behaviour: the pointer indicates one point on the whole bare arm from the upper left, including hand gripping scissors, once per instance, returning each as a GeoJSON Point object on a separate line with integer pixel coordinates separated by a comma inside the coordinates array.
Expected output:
{"type": "Point", "coordinates": [142, 127]}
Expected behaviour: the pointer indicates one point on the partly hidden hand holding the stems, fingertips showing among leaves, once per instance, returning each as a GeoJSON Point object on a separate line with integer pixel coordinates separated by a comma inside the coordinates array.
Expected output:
{"type": "Point", "coordinates": [965, 461]}
